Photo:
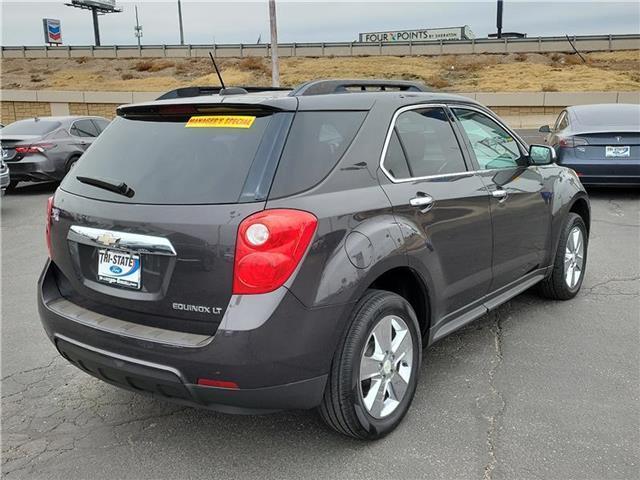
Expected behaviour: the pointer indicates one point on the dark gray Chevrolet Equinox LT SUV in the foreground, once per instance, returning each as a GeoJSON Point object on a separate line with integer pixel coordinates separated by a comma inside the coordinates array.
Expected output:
{"type": "Point", "coordinates": [252, 252]}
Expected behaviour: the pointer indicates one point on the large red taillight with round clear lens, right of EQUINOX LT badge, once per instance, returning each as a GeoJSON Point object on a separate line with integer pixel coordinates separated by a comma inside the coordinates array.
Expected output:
{"type": "Point", "coordinates": [269, 247]}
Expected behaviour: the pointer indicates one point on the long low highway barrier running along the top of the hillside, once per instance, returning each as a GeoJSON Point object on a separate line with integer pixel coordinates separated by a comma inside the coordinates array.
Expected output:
{"type": "Point", "coordinates": [327, 49]}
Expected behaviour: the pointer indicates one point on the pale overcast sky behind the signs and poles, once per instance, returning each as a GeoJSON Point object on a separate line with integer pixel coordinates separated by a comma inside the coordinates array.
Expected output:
{"type": "Point", "coordinates": [310, 21]}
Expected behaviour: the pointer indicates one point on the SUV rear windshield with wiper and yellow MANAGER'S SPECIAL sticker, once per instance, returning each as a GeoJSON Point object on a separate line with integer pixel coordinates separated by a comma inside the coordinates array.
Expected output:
{"type": "Point", "coordinates": [188, 160]}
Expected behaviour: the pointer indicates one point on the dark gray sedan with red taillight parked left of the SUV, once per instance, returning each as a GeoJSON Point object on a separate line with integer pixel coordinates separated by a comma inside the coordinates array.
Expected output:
{"type": "Point", "coordinates": [46, 148]}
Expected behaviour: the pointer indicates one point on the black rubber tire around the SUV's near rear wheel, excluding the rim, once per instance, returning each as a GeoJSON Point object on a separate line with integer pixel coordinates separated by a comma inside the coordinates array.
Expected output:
{"type": "Point", "coordinates": [342, 407]}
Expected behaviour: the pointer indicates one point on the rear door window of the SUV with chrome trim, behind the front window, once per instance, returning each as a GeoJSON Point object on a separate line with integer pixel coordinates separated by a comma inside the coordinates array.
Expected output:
{"type": "Point", "coordinates": [425, 138]}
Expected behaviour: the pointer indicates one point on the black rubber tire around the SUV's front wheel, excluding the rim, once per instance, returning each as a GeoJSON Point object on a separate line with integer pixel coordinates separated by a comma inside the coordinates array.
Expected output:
{"type": "Point", "coordinates": [554, 286]}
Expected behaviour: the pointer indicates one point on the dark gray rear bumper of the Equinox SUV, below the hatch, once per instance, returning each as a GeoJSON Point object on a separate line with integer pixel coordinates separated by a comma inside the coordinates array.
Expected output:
{"type": "Point", "coordinates": [279, 365]}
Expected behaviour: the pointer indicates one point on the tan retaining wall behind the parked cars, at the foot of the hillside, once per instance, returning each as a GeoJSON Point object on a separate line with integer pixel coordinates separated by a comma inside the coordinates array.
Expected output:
{"type": "Point", "coordinates": [520, 110]}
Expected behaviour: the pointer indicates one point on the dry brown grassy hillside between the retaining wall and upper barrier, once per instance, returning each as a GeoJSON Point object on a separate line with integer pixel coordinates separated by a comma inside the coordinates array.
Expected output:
{"type": "Point", "coordinates": [463, 73]}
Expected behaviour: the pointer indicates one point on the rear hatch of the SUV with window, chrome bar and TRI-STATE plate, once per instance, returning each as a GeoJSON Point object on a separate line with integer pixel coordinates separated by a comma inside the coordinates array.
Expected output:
{"type": "Point", "coordinates": [158, 250]}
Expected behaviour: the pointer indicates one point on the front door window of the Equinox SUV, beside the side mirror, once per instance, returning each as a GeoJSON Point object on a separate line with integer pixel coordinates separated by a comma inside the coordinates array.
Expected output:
{"type": "Point", "coordinates": [492, 145]}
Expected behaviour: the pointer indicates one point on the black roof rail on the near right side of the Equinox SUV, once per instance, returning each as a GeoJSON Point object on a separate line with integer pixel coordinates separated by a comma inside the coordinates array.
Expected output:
{"type": "Point", "coordinates": [325, 87]}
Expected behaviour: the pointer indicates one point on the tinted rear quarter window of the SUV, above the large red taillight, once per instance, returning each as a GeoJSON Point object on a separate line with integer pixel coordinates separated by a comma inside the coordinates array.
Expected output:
{"type": "Point", "coordinates": [316, 142]}
